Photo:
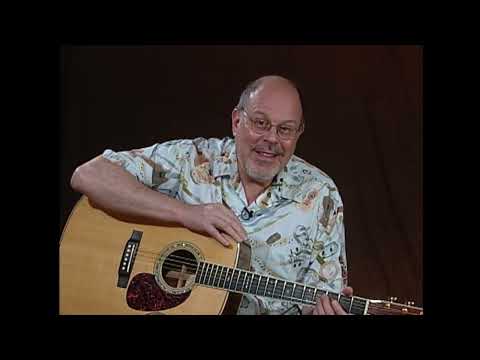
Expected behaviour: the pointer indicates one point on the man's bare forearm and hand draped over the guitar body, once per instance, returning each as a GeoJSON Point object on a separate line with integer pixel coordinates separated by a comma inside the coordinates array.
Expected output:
{"type": "Point", "coordinates": [112, 188]}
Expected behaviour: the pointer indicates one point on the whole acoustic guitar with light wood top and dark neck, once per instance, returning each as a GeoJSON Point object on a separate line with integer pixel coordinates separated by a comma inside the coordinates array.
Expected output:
{"type": "Point", "coordinates": [111, 266]}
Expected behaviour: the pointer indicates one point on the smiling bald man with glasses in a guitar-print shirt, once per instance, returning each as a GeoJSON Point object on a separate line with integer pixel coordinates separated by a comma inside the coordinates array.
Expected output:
{"type": "Point", "coordinates": [251, 188]}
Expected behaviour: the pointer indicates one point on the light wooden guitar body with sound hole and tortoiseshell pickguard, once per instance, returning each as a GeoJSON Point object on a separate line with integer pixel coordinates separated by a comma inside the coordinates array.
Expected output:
{"type": "Point", "coordinates": [106, 269]}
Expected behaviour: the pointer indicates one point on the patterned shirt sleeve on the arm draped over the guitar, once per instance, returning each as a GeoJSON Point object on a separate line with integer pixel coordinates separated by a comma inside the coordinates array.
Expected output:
{"type": "Point", "coordinates": [158, 167]}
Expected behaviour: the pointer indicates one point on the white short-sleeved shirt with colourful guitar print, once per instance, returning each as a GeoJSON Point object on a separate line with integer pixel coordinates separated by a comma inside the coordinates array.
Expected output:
{"type": "Point", "coordinates": [295, 227]}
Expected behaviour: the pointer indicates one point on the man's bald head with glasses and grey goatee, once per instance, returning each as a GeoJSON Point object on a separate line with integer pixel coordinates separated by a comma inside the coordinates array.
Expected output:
{"type": "Point", "coordinates": [266, 124]}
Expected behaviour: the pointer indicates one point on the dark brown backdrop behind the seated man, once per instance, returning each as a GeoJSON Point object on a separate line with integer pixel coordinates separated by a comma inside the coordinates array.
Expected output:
{"type": "Point", "coordinates": [363, 108]}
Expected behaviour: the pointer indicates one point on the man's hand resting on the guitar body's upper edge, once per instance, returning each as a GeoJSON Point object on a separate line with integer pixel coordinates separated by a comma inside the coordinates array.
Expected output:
{"type": "Point", "coordinates": [214, 220]}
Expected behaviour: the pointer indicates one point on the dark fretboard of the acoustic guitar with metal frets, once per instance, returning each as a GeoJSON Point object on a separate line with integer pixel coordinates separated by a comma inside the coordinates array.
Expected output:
{"type": "Point", "coordinates": [247, 282]}
